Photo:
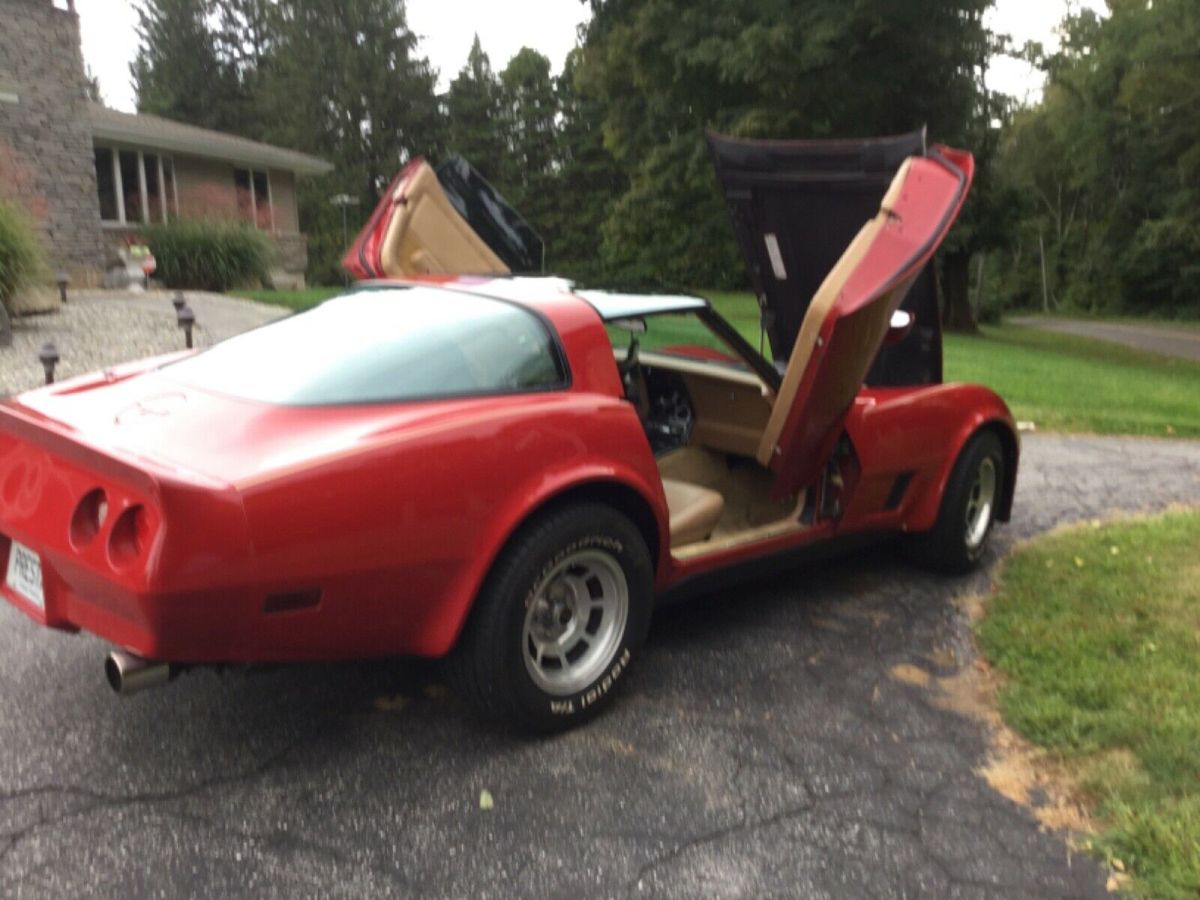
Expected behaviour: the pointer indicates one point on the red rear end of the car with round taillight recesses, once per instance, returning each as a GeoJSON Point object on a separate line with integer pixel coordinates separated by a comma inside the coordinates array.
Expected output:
{"type": "Point", "coordinates": [111, 531]}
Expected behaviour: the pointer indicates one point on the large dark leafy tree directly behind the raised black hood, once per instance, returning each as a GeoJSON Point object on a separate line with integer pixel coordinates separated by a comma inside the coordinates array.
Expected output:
{"type": "Point", "coordinates": [667, 70]}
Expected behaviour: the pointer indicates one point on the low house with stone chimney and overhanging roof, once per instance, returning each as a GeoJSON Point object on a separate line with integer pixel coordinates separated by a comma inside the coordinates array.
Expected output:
{"type": "Point", "coordinates": [92, 177]}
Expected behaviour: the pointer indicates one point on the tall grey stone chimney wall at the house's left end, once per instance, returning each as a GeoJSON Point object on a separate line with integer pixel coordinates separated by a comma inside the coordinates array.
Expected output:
{"type": "Point", "coordinates": [46, 149]}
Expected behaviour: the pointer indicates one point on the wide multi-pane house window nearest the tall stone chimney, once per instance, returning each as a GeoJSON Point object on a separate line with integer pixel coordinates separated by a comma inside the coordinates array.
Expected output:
{"type": "Point", "coordinates": [135, 188]}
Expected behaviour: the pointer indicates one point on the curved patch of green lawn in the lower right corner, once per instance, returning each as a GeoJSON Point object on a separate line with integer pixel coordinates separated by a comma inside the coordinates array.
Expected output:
{"type": "Point", "coordinates": [1097, 633]}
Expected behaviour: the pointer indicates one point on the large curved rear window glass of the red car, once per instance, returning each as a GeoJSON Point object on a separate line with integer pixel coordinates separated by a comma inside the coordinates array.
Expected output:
{"type": "Point", "coordinates": [383, 346]}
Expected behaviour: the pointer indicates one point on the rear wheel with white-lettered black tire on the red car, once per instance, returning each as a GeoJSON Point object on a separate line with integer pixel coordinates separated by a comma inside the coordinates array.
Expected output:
{"type": "Point", "coordinates": [572, 560]}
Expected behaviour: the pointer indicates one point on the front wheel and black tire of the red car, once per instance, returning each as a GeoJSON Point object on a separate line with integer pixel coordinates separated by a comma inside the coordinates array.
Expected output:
{"type": "Point", "coordinates": [959, 537]}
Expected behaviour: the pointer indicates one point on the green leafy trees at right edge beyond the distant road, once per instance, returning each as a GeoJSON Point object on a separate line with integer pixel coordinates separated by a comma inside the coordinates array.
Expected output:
{"type": "Point", "coordinates": [1111, 161]}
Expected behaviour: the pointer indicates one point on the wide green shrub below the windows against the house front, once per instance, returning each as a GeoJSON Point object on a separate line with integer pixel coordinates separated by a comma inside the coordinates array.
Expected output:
{"type": "Point", "coordinates": [206, 255]}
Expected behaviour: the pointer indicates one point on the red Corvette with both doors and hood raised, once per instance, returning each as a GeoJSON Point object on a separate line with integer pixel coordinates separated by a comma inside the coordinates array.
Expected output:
{"type": "Point", "coordinates": [505, 471]}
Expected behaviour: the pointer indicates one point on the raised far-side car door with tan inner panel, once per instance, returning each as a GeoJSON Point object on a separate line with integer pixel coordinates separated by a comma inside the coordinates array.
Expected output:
{"type": "Point", "coordinates": [445, 221]}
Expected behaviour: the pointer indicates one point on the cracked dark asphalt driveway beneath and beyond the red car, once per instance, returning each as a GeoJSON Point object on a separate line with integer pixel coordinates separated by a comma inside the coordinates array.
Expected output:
{"type": "Point", "coordinates": [760, 748]}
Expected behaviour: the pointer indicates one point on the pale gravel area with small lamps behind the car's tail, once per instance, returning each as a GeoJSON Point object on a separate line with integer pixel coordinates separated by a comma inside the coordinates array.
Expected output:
{"type": "Point", "coordinates": [99, 329]}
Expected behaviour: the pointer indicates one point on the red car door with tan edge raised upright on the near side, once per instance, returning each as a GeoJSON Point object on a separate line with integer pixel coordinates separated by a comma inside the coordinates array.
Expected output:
{"type": "Point", "coordinates": [848, 320]}
